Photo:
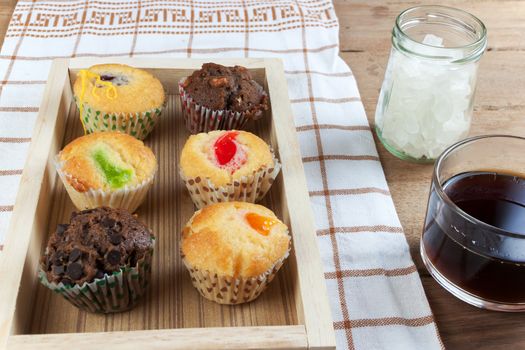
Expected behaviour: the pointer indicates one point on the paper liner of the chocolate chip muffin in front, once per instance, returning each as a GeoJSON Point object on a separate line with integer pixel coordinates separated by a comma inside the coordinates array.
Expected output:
{"type": "Point", "coordinates": [117, 292]}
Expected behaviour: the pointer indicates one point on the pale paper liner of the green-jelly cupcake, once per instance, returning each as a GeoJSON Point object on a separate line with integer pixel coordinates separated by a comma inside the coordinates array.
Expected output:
{"type": "Point", "coordinates": [128, 197]}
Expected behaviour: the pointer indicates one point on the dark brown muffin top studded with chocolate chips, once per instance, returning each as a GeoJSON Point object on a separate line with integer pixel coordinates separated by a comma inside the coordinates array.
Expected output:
{"type": "Point", "coordinates": [96, 242]}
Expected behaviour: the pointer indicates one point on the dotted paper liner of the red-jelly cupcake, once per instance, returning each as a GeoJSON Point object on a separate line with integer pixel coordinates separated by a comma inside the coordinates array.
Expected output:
{"type": "Point", "coordinates": [250, 188]}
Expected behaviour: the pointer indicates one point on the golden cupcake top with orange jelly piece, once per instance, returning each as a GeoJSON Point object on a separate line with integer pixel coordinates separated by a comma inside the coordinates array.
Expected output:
{"type": "Point", "coordinates": [235, 239]}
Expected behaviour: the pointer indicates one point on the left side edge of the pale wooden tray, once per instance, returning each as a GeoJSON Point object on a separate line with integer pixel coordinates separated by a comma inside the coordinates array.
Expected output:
{"type": "Point", "coordinates": [25, 220]}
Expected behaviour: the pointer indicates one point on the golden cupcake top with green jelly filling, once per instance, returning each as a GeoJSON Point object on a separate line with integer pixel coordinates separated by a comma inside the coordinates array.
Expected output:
{"type": "Point", "coordinates": [106, 161]}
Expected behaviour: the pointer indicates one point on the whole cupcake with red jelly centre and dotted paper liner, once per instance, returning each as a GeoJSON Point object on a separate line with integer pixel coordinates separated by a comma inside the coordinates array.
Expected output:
{"type": "Point", "coordinates": [222, 166]}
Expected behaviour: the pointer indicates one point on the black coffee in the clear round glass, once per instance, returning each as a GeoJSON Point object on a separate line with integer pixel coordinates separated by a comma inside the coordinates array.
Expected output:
{"type": "Point", "coordinates": [497, 273]}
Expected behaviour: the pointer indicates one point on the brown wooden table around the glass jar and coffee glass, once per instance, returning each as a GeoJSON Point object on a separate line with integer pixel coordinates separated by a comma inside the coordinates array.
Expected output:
{"type": "Point", "coordinates": [365, 28]}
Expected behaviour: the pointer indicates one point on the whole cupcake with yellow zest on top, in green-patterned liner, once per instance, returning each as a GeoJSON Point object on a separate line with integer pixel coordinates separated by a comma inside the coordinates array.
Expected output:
{"type": "Point", "coordinates": [116, 97]}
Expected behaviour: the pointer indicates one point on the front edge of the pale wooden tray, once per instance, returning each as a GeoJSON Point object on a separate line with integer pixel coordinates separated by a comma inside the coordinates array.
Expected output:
{"type": "Point", "coordinates": [274, 337]}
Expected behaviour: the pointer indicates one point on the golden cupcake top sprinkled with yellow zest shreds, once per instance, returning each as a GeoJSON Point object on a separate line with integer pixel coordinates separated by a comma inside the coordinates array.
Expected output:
{"type": "Point", "coordinates": [135, 90]}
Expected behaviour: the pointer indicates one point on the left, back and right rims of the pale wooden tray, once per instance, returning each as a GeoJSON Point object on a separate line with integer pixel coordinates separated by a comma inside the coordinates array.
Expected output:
{"type": "Point", "coordinates": [314, 311]}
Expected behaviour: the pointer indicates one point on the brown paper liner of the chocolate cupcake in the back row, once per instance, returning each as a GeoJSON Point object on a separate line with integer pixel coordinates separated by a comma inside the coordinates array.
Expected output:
{"type": "Point", "coordinates": [202, 119]}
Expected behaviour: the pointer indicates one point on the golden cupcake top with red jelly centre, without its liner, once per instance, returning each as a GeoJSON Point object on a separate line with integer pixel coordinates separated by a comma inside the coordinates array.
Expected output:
{"type": "Point", "coordinates": [224, 156]}
